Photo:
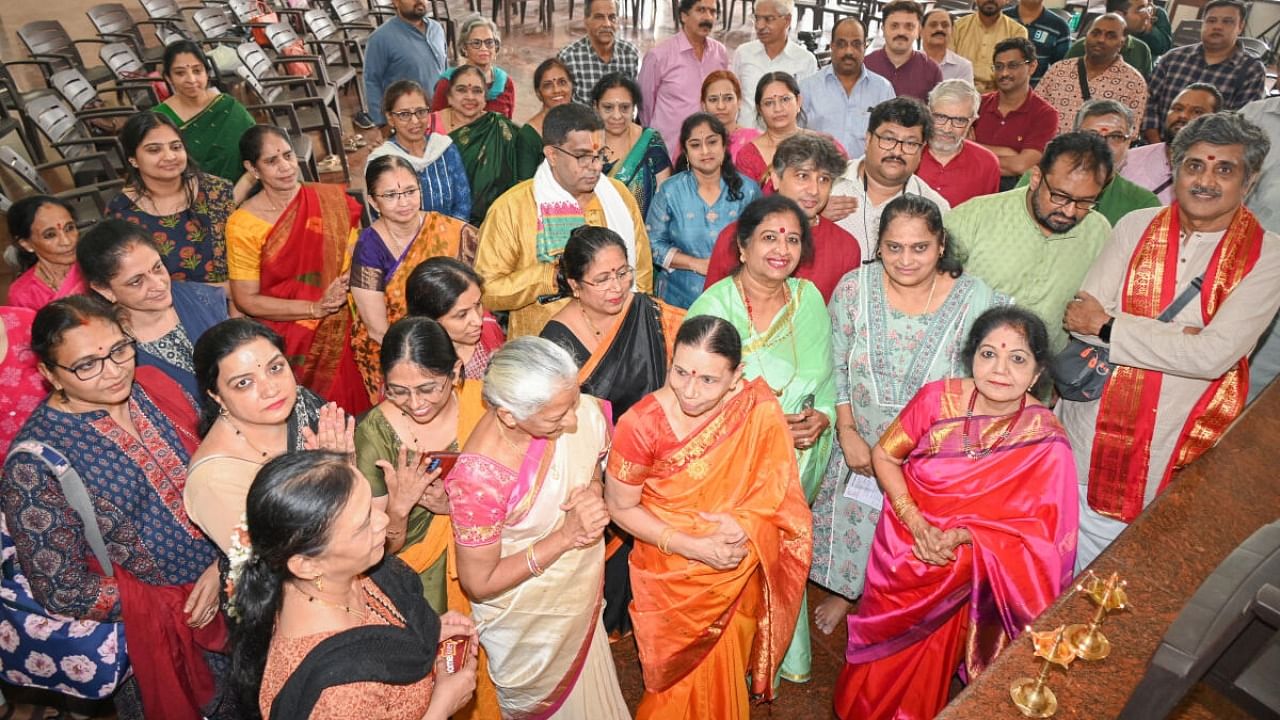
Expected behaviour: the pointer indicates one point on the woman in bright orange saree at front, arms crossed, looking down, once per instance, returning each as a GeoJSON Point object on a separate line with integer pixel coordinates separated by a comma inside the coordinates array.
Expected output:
{"type": "Point", "coordinates": [703, 475]}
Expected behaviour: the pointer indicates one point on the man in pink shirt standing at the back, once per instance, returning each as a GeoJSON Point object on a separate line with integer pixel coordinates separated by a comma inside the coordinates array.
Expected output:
{"type": "Point", "coordinates": [673, 72]}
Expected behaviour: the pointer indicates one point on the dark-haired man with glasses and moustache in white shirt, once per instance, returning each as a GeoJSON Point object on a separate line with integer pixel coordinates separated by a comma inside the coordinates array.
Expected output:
{"type": "Point", "coordinates": [897, 136]}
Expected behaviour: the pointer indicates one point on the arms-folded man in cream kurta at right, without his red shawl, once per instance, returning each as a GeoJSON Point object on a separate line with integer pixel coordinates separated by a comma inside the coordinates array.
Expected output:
{"type": "Point", "coordinates": [1217, 160]}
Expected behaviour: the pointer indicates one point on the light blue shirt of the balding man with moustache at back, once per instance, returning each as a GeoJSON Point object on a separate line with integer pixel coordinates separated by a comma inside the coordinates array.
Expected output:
{"type": "Point", "coordinates": [829, 110]}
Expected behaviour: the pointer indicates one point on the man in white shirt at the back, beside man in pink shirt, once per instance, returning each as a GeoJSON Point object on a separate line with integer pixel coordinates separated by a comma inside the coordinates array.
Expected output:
{"type": "Point", "coordinates": [772, 51]}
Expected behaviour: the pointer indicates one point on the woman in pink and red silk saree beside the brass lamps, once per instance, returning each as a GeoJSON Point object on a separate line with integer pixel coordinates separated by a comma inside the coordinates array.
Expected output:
{"type": "Point", "coordinates": [979, 531]}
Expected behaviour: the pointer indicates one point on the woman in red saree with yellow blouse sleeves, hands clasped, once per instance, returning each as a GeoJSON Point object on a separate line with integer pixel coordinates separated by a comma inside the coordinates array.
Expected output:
{"type": "Point", "coordinates": [290, 245]}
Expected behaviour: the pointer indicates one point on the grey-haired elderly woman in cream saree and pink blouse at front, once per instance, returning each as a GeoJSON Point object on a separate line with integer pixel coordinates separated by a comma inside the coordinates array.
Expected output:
{"type": "Point", "coordinates": [528, 523]}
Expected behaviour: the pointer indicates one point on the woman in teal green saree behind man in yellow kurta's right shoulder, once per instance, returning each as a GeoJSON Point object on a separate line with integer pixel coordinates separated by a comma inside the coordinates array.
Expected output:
{"type": "Point", "coordinates": [638, 157]}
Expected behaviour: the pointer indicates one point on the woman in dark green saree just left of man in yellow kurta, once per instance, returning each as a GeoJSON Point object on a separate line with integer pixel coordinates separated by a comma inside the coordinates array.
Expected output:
{"type": "Point", "coordinates": [486, 139]}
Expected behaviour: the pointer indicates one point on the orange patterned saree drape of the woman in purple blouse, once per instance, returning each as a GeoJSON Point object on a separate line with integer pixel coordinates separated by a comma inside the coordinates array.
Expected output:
{"type": "Point", "coordinates": [440, 235]}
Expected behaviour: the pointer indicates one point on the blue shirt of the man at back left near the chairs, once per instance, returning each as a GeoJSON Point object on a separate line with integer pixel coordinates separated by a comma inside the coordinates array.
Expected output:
{"type": "Point", "coordinates": [399, 51]}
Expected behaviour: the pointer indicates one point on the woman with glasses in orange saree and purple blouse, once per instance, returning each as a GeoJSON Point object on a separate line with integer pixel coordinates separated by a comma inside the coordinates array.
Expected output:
{"type": "Point", "coordinates": [386, 254]}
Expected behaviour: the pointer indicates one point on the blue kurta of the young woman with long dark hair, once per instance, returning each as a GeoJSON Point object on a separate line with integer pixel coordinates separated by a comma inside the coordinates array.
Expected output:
{"type": "Point", "coordinates": [680, 220]}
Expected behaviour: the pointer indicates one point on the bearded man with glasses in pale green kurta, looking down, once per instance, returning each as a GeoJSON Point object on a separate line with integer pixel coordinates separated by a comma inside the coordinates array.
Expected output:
{"type": "Point", "coordinates": [1036, 244]}
